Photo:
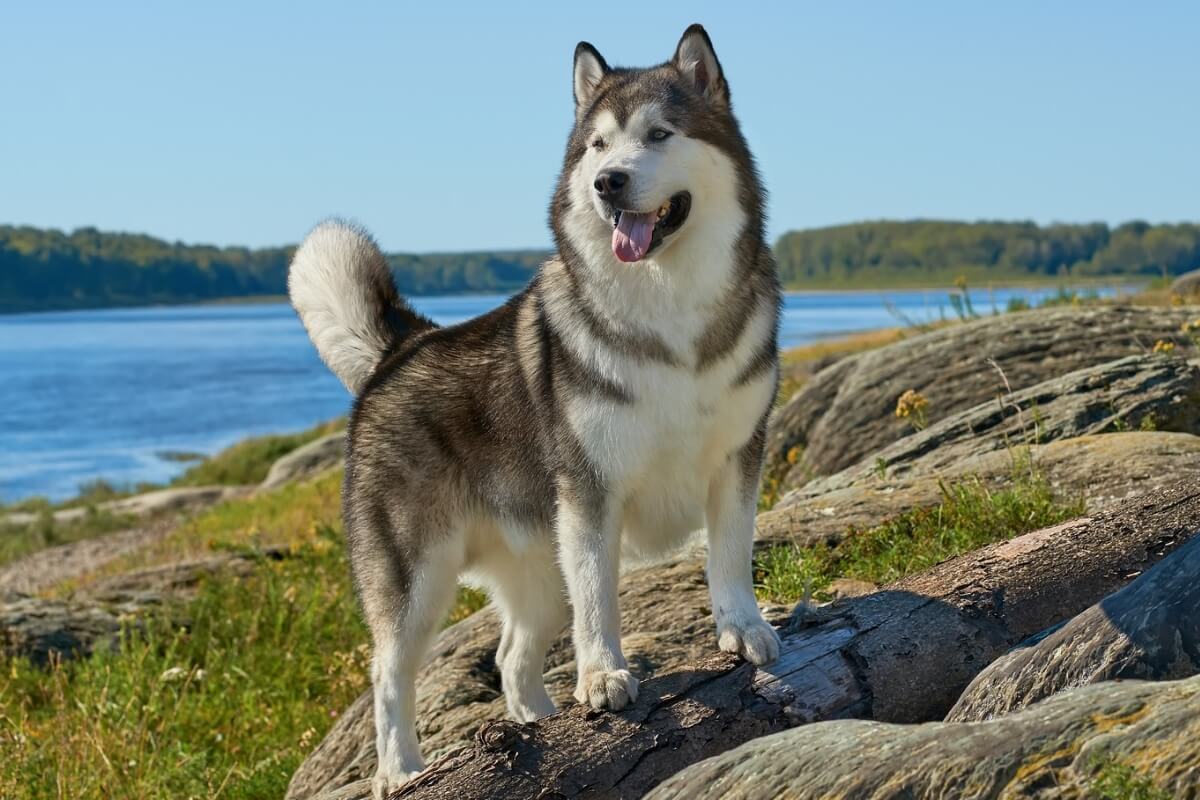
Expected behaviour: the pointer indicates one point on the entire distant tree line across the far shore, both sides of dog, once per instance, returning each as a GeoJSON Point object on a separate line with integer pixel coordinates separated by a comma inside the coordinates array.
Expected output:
{"type": "Point", "coordinates": [45, 269]}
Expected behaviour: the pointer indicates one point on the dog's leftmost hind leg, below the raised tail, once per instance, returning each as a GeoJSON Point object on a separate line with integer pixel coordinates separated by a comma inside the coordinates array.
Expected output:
{"type": "Point", "coordinates": [404, 603]}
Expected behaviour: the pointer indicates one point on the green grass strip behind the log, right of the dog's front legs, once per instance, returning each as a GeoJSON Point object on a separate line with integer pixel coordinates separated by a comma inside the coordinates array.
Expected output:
{"type": "Point", "coordinates": [969, 516]}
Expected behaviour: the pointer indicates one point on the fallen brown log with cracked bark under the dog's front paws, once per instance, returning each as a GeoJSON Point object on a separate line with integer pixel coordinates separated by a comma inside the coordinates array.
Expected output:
{"type": "Point", "coordinates": [901, 655]}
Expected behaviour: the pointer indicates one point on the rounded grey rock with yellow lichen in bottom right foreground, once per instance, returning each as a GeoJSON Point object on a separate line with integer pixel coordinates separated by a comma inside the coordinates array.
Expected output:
{"type": "Point", "coordinates": [1052, 750]}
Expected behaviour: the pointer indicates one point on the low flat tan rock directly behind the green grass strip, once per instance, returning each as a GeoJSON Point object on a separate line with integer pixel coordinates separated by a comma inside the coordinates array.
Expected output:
{"type": "Point", "coordinates": [1103, 470]}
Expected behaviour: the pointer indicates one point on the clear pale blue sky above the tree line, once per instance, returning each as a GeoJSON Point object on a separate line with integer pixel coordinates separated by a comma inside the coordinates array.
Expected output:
{"type": "Point", "coordinates": [441, 125]}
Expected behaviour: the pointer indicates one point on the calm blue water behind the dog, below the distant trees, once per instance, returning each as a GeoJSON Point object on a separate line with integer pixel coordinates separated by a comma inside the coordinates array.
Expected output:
{"type": "Point", "coordinates": [101, 394]}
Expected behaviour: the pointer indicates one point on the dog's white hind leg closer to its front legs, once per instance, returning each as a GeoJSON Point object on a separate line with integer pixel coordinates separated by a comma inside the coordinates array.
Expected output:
{"type": "Point", "coordinates": [529, 590]}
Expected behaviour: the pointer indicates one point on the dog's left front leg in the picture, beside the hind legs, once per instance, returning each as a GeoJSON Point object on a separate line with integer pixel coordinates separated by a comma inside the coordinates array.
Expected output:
{"type": "Point", "coordinates": [590, 549]}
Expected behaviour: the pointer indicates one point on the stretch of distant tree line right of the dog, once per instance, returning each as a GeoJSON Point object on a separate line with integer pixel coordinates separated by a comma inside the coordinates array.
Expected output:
{"type": "Point", "coordinates": [897, 254]}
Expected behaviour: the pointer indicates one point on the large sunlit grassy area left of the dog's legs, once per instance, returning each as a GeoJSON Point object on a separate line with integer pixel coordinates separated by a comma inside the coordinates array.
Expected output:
{"type": "Point", "coordinates": [226, 707]}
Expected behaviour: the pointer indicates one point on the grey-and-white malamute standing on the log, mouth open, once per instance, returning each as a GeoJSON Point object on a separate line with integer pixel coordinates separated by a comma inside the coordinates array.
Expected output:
{"type": "Point", "coordinates": [615, 406]}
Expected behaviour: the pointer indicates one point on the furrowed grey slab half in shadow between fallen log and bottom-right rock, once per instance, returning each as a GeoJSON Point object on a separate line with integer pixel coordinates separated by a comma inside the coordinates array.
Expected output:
{"type": "Point", "coordinates": [1149, 630]}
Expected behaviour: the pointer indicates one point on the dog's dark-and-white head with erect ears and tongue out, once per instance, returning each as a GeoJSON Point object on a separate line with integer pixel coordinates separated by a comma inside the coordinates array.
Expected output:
{"type": "Point", "coordinates": [656, 155]}
